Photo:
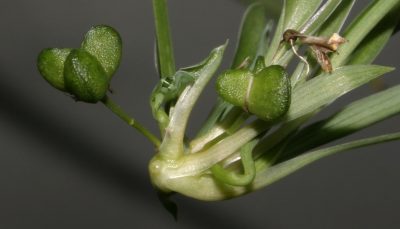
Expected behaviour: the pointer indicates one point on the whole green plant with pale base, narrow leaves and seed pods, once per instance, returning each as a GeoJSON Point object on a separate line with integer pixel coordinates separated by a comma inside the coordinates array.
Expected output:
{"type": "Point", "coordinates": [259, 129]}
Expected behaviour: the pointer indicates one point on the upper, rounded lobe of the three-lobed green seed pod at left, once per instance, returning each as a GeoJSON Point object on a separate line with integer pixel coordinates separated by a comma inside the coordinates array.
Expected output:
{"type": "Point", "coordinates": [104, 43]}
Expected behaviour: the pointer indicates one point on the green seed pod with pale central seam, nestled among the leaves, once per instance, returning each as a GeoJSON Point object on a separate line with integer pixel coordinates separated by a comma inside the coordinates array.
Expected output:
{"type": "Point", "coordinates": [265, 93]}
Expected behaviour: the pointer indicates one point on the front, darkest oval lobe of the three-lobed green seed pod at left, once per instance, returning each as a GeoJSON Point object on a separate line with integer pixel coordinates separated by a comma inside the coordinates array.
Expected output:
{"type": "Point", "coordinates": [84, 77]}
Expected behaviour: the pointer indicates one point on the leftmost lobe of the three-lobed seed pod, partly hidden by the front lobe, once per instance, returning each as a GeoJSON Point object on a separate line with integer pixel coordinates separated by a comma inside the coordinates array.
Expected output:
{"type": "Point", "coordinates": [51, 66]}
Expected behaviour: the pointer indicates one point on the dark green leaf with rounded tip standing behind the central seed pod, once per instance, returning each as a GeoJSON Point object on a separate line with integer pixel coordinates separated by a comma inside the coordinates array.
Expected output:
{"type": "Point", "coordinates": [251, 34]}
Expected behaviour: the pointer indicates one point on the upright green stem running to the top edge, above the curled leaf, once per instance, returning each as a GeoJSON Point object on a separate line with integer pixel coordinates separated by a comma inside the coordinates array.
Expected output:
{"type": "Point", "coordinates": [165, 52]}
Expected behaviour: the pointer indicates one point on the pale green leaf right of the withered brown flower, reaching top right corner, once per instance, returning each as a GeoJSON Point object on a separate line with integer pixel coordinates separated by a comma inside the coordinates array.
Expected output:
{"type": "Point", "coordinates": [358, 29]}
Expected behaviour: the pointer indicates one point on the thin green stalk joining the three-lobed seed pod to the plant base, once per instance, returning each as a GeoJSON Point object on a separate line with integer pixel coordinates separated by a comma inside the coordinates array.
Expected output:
{"type": "Point", "coordinates": [132, 122]}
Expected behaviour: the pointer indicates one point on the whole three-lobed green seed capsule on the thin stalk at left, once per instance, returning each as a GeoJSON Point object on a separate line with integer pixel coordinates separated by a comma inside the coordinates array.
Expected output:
{"type": "Point", "coordinates": [84, 72]}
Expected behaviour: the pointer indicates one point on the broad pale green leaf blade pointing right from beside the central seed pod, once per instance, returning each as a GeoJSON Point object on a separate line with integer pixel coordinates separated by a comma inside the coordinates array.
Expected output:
{"type": "Point", "coordinates": [327, 87]}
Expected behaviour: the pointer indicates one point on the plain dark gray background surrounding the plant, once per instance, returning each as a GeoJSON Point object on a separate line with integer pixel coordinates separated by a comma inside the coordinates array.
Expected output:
{"type": "Point", "coordinates": [72, 165]}
